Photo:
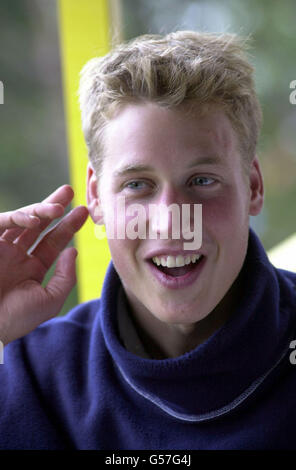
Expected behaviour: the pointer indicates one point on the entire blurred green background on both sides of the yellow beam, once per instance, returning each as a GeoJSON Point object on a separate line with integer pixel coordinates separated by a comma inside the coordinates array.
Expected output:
{"type": "Point", "coordinates": [34, 155]}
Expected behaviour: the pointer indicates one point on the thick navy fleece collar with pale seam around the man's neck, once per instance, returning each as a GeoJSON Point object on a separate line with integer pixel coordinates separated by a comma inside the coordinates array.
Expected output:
{"type": "Point", "coordinates": [231, 364]}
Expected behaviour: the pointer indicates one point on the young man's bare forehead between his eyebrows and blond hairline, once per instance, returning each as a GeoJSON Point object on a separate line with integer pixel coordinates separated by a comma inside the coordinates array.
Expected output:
{"type": "Point", "coordinates": [144, 132]}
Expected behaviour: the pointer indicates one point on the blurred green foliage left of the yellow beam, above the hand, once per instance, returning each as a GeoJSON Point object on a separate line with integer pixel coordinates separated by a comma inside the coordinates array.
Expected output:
{"type": "Point", "coordinates": [33, 160]}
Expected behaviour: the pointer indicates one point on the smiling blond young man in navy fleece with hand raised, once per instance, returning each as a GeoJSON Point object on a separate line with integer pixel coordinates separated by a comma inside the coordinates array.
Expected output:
{"type": "Point", "coordinates": [186, 349]}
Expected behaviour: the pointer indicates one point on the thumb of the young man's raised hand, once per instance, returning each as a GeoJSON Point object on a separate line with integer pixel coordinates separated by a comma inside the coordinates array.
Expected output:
{"type": "Point", "coordinates": [63, 279]}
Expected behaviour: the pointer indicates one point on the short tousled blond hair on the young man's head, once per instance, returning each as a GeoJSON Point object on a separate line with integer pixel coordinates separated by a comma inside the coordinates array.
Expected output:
{"type": "Point", "coordinates": [183, 67]}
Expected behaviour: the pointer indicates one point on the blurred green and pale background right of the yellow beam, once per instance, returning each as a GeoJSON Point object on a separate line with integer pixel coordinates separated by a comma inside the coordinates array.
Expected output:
{"type": "Point", "coordinates": [271, 25]}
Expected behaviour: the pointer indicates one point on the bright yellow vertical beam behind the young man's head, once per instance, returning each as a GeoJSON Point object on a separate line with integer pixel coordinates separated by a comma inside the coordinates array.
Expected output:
{"type": "Point", "coordinates": [84, 33]}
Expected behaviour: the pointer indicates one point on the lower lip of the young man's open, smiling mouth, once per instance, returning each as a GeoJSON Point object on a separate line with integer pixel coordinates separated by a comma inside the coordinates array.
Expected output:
{"type": "Point", "coordinates": [179, 282]}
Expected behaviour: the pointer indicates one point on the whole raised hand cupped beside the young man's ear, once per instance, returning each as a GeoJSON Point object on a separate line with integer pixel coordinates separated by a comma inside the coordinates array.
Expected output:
{"type": "Point", "coordinates": [24, 302]}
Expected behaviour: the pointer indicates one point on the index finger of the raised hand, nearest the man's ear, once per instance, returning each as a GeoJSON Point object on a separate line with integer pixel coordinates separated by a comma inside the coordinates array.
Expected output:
{"type": "Point", "coordinates": [58, 238]}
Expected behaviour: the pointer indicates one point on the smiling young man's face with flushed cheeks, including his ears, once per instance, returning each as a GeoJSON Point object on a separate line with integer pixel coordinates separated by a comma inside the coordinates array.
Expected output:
{"type": "Point", "coordinates": [159, 156]}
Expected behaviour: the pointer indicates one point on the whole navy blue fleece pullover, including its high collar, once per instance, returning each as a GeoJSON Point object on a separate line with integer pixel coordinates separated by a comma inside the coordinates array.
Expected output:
{"type": "Point", "coordinates": [71, 384]}
